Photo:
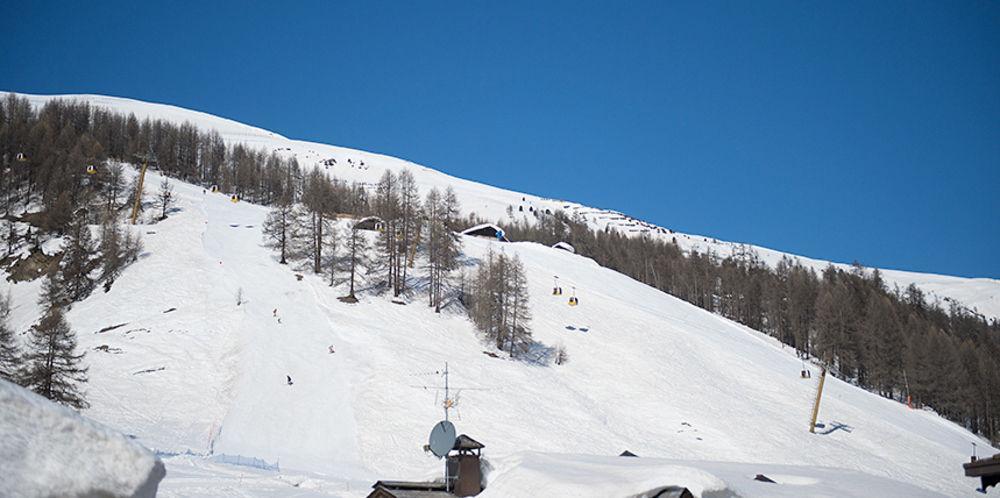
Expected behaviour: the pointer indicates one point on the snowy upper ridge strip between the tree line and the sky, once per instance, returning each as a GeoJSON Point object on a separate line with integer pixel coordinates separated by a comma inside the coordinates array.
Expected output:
{"type": "Point", "coordinates": [980, 294]}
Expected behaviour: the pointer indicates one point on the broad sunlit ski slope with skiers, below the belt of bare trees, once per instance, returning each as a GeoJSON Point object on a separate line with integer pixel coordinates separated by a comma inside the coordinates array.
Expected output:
{"type": "Point", "coordinates": [176, 363]}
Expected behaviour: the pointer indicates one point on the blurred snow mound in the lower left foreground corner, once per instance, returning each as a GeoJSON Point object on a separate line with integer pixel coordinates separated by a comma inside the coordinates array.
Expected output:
{"type": "Point", "coordinates": [41, 441]}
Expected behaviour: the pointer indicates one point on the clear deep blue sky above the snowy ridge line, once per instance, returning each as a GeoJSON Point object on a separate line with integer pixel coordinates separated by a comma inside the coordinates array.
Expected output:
{"type": "Point", "coordinates": [864, 131]}
